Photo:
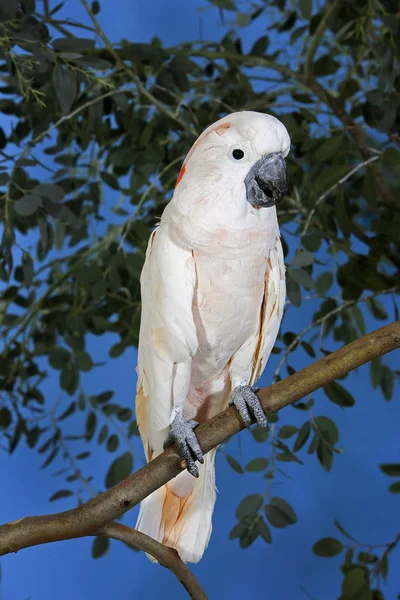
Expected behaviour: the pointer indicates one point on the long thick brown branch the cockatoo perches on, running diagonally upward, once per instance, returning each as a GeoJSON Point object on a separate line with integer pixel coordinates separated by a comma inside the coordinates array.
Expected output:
{"type": "Point", "coordinates": [92, 517]}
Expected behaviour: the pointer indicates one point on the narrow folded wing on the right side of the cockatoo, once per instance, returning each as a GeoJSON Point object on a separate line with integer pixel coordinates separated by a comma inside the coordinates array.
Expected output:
{"type": "Point", "coordinates": [271, 309]}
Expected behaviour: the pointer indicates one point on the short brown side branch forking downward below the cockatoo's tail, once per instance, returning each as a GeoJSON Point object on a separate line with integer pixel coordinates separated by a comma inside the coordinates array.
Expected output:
{"type": "Point", "coordinates": [168, 557]}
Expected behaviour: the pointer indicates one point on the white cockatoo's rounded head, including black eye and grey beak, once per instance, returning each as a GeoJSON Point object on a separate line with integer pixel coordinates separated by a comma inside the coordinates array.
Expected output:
{"type": "Point", "coordinates": [244, 154]}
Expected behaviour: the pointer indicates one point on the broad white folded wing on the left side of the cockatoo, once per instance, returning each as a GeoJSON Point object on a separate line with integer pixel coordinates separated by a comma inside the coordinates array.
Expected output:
{"type": "Point", "coordinates": [168, 336]}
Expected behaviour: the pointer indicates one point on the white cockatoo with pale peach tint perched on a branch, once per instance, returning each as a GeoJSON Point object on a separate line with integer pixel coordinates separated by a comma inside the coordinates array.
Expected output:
{"type": "Point", "coordinates": [213, 292]}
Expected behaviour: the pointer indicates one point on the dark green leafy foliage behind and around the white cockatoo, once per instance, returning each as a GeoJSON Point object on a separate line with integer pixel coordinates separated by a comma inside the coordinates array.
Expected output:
{"type": "Point", "coordinates": [90, 153]}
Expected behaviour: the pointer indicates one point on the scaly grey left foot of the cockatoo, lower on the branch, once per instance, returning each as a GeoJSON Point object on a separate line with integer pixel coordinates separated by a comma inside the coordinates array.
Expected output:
{"type": "Point", "coordinates": [185, 440]}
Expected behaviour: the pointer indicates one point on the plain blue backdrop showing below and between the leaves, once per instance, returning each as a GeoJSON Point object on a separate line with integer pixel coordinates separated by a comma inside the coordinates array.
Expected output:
{"type": "Point", "coordinates": [355, 492]}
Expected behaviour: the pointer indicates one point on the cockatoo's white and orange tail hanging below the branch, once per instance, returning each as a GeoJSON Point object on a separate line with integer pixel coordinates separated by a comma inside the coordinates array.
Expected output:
{"type": "Point", "coordinates": [182, 522]}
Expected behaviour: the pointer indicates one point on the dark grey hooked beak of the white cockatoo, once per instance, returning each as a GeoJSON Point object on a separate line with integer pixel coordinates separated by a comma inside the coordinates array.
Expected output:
{"type": "Point", "coordinates": [266, 182]}
